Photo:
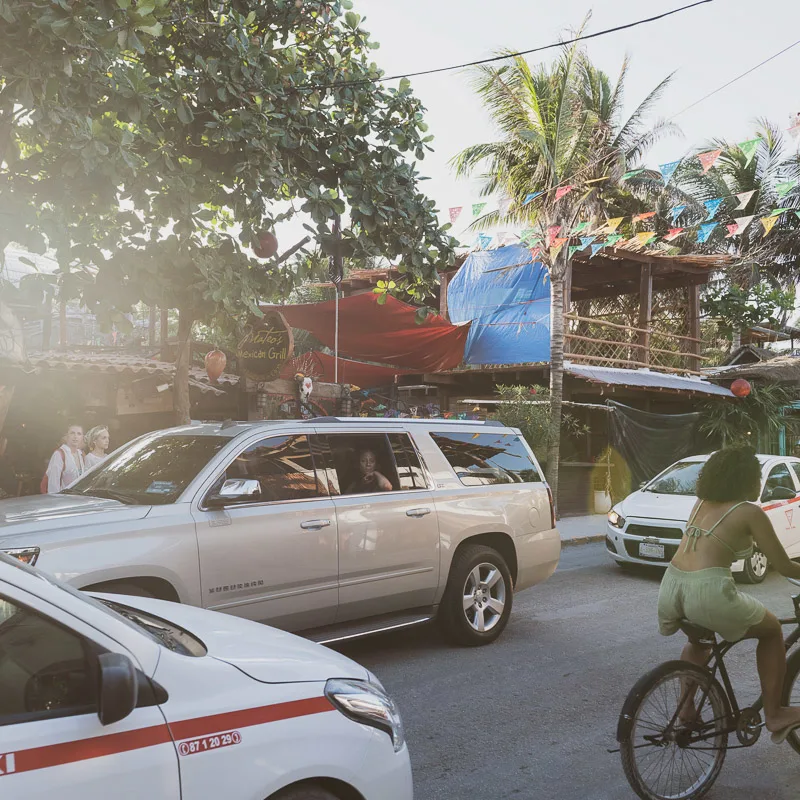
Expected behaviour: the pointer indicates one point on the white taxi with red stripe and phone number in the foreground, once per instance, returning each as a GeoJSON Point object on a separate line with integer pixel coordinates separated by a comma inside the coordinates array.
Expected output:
{"type": "Point", "coordinates": [138, 698]}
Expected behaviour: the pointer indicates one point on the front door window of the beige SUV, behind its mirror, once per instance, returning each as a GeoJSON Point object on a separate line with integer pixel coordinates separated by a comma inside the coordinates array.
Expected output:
{"type": "Point", "coordinates": [282, 465]}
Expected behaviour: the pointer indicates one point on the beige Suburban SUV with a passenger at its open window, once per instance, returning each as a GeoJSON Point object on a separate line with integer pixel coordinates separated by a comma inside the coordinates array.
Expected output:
{"type": "Point", "coordinates": [277, 522]}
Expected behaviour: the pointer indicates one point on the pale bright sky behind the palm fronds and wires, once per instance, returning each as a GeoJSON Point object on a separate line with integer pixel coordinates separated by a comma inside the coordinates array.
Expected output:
{"type": "Point", "coordinates": [705, 47]}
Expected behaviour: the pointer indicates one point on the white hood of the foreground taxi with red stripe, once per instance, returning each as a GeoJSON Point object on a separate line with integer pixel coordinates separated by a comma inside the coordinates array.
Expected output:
{"type": "Point", "coordinates": [266, 654]}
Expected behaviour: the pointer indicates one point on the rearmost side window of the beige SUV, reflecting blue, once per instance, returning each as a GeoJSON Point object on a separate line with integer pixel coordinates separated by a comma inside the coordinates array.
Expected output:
{"type": "Point", "coordinates": [481, 459]}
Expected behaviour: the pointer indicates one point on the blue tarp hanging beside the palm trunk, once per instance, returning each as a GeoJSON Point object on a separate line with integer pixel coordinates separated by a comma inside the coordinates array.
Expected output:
{"type": "Point", "coordinates": [506, 295]}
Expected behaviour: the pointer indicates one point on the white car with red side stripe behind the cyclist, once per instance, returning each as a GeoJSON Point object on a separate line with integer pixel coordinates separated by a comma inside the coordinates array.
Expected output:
{"type": "Point", "coordinates": [646, 527]}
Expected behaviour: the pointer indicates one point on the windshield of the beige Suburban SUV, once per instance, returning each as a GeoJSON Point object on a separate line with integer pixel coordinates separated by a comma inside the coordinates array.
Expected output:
{"type": "Point", "coordinates": [151, 470]}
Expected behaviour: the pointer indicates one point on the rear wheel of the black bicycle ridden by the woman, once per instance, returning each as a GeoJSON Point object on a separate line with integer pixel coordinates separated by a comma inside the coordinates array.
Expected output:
{"type": "Point", "coordinates": [673, 732]}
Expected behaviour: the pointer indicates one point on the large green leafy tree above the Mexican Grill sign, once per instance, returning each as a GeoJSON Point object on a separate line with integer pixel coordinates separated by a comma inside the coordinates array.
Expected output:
{"type": "Point", "coordinates": [151, 144]}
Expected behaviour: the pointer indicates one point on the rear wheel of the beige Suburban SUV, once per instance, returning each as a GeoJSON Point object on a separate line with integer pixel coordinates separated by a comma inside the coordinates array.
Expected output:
{"type": "Point", "coordinates": [478, 599]}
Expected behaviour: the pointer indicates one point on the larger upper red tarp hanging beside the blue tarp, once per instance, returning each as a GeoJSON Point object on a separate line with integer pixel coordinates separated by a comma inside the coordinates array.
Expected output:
{"type": "Point", "coordinates": [386, 333]}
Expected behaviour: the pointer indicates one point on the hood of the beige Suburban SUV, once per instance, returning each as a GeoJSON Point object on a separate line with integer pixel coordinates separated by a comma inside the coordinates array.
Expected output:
{"type": "Point", "coordinates": [44, 511]}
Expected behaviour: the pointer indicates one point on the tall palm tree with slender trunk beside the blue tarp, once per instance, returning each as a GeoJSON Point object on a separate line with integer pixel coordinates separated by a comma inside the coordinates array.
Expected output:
{"type": "Point", "coordinates": [561, 125]}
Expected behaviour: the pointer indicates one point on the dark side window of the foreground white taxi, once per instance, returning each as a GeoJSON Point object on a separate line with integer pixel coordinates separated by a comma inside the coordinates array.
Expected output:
{"type": "Point", "coordinates": [44, 669]}
